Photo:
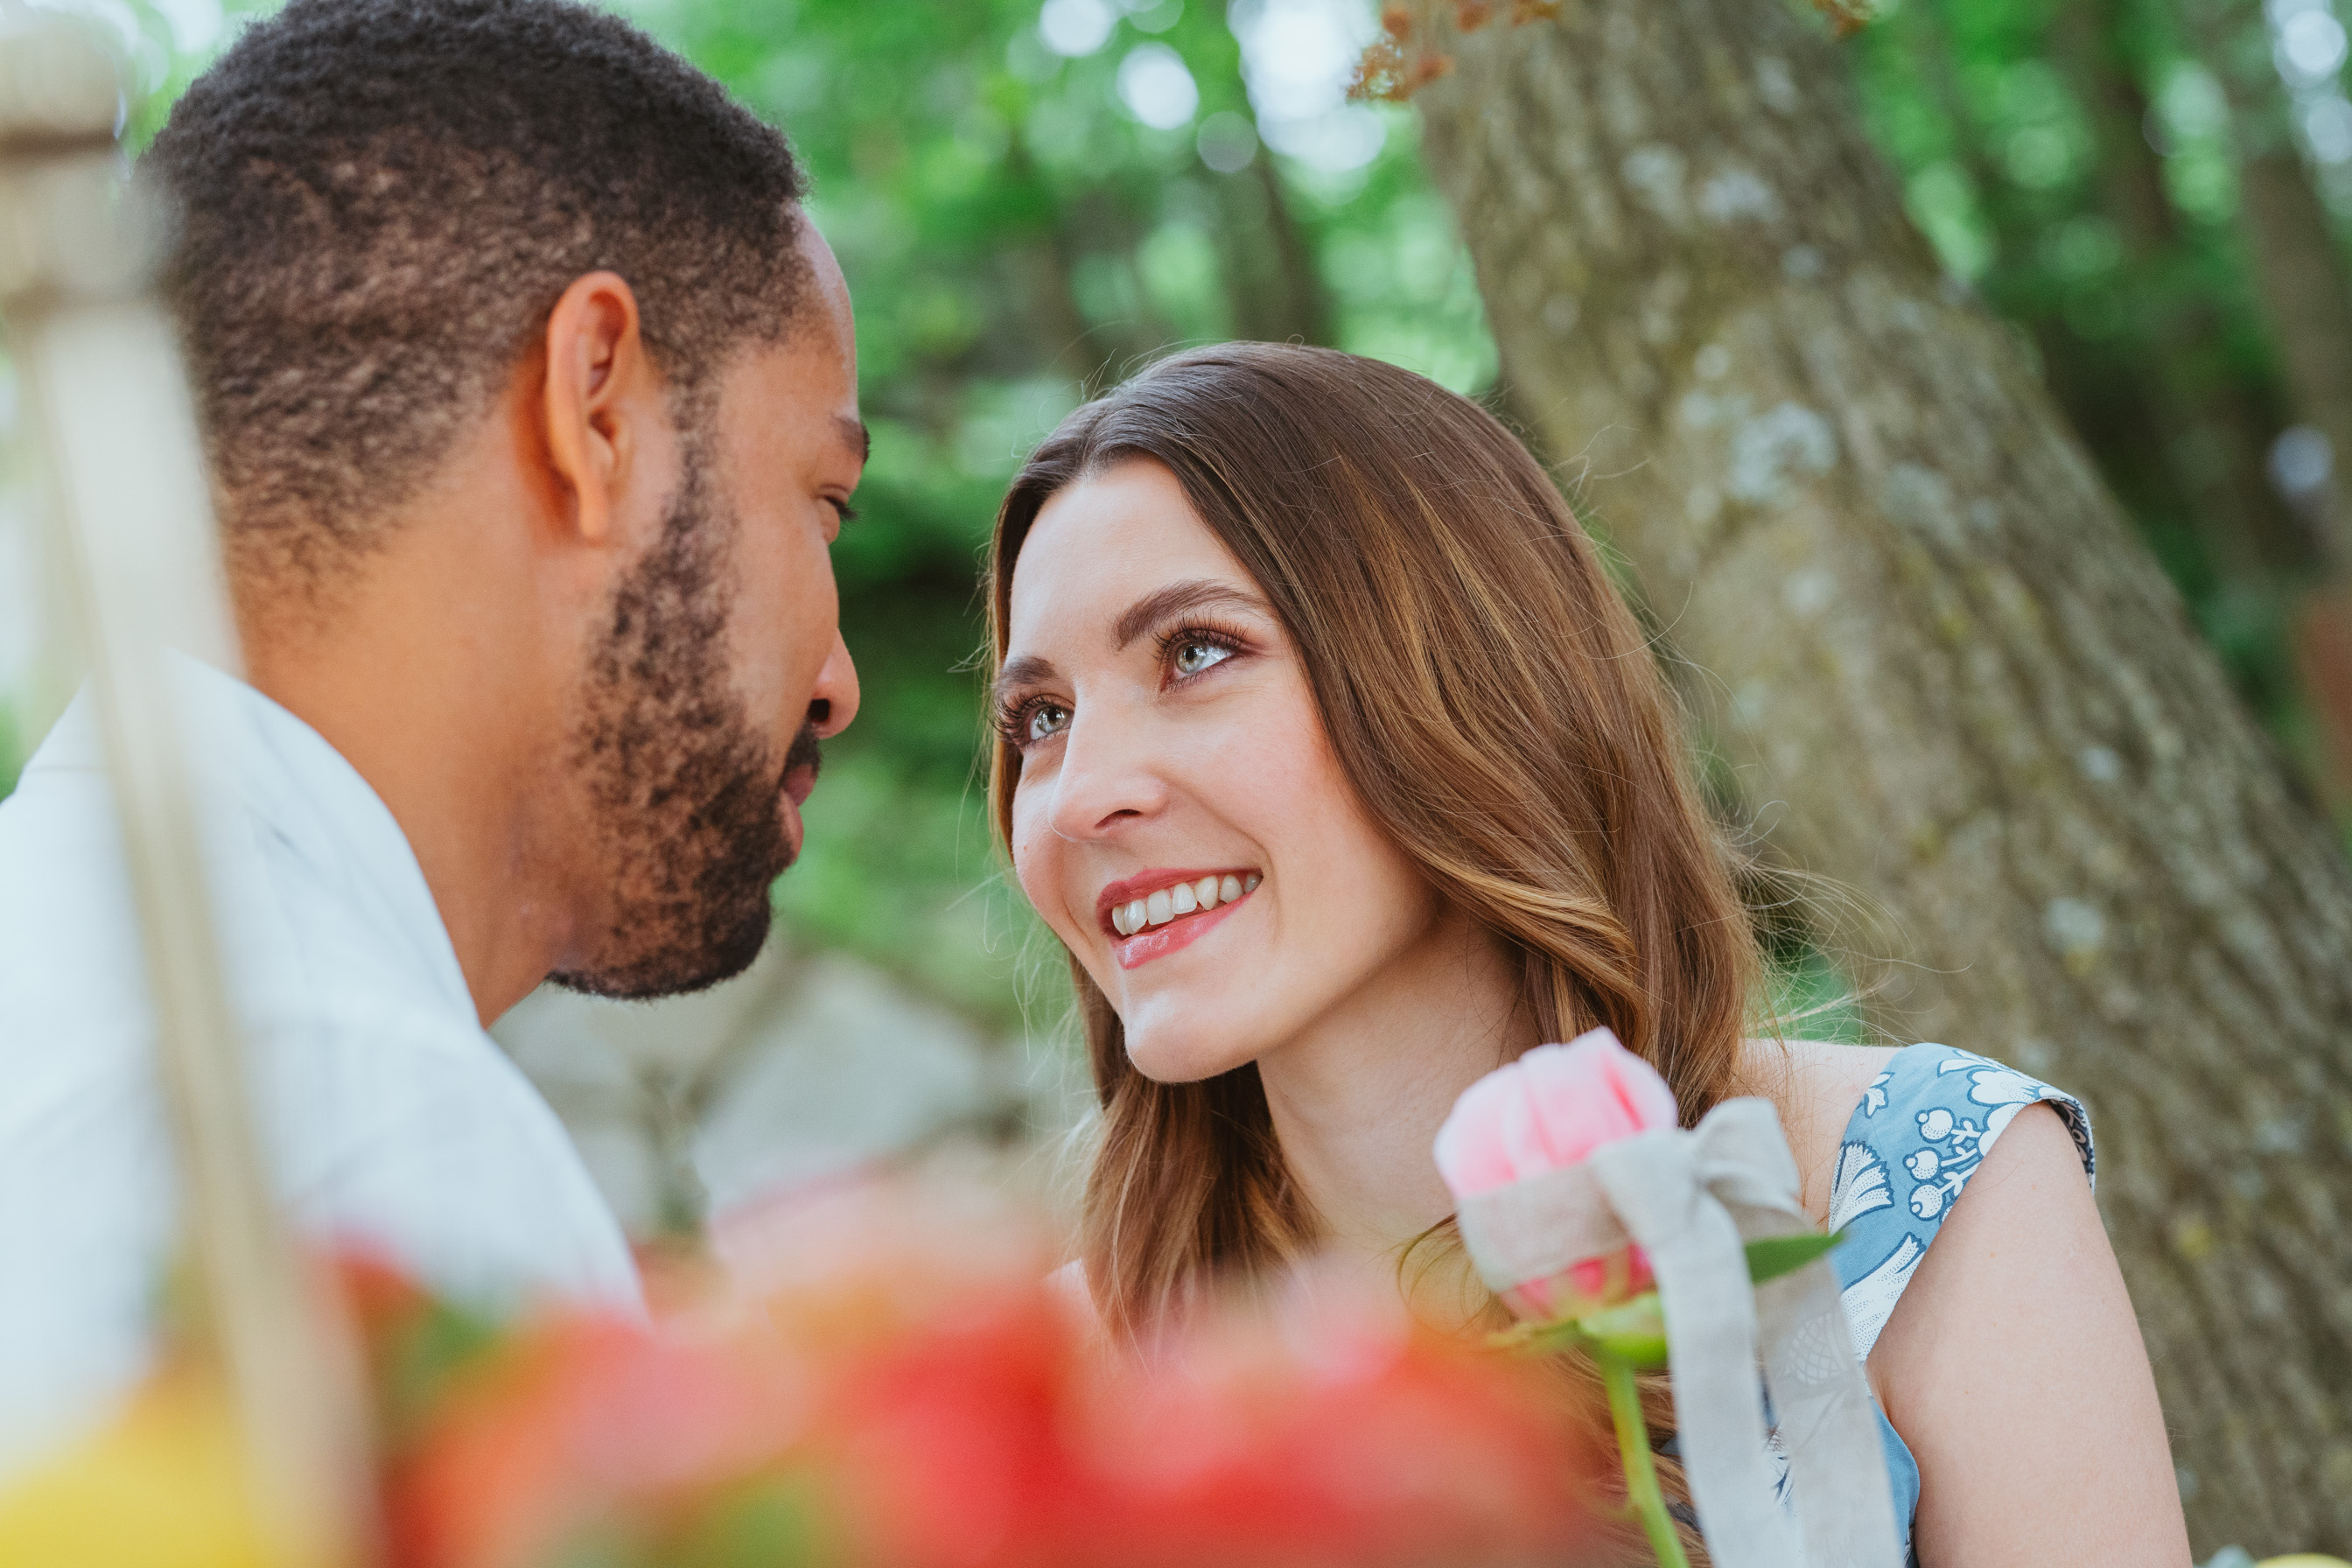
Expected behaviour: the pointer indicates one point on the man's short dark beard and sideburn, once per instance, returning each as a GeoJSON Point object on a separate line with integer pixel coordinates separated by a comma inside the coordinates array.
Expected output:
{"type": "Point", "coordinates": [683, 791]}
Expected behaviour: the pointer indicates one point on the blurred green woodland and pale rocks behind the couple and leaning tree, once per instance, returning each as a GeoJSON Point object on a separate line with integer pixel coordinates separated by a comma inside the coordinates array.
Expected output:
{"type": "Point", "coordinates": [1034, 201]}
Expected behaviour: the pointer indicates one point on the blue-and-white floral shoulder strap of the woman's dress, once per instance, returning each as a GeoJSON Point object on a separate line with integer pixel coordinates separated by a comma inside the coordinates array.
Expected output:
{"type": "Point", "coordinates": [1911, 1148]}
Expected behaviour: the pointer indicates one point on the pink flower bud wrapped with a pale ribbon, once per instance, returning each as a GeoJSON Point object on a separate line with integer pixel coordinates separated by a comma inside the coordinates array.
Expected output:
{"type": "Point", "coordinates": [1542, 1113]}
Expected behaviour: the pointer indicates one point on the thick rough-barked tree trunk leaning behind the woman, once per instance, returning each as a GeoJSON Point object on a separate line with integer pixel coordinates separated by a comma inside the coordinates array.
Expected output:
{"type": "Point", "coordinates": [1946, 657]}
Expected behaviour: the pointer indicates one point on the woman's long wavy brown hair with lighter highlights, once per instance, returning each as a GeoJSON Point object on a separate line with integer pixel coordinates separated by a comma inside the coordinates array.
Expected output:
{"type": "Point", "coordinates": [1495, 706]}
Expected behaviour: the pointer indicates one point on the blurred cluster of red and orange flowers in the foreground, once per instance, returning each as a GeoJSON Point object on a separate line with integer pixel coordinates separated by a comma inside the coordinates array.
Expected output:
{"type": "Point", "coordinates": [900, 1405]}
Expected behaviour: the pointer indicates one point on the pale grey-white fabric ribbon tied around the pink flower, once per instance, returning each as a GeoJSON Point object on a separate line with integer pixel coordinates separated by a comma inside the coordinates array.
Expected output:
{"type": "Point", "coordinates": [1692, 1200]}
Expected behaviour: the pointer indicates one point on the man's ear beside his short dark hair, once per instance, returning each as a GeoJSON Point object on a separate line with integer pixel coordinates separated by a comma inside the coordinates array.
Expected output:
{"type": "Point", "coordinates": [596, 401]}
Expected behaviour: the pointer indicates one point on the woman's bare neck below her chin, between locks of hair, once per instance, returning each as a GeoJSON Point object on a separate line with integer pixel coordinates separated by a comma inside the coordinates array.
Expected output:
{"type": "Point", "coordinates": [1358, 1097]}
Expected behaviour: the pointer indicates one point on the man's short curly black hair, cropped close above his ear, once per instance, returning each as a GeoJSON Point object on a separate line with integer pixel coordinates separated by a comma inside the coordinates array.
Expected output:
{"type": "Point", "coordinates": [380, 201]}
